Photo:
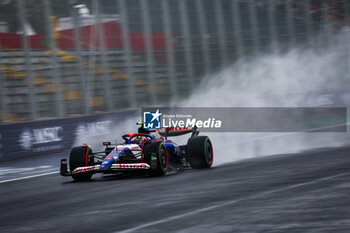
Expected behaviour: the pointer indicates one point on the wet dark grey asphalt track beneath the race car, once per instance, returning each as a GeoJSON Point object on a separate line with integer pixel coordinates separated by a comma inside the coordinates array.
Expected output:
{"type": "Point", "coordinates": [308, 192]}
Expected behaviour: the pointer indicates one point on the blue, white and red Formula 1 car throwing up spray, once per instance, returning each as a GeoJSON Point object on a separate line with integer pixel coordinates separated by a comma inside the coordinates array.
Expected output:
{"type": "Point", "coordinates": [148, 150]}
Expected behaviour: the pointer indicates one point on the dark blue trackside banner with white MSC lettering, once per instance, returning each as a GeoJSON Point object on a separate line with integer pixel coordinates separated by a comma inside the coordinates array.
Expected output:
{"type": "Point", "coordinates": [20, 140]}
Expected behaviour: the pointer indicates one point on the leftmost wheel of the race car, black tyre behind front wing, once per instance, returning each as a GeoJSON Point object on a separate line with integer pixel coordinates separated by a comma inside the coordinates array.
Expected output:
{"type": "Point", "coordinates": [80, 157]}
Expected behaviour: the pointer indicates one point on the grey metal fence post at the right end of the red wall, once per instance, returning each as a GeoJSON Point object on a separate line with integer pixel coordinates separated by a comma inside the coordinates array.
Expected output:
{"type": "Point", "coordinates": [169, 46]}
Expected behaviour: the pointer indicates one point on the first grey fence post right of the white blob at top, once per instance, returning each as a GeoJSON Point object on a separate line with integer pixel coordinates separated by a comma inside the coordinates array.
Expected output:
{"type": "Point", "coordinates": [102, 49]}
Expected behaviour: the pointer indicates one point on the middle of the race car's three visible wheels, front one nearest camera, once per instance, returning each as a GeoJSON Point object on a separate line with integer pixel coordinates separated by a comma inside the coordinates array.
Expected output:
{"type": "Point", "coordinates": [156, 155]}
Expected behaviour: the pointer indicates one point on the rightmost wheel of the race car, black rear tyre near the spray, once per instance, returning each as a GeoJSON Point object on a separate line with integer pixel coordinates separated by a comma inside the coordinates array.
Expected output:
{"type": "Point", "coordinates": [200, 152]}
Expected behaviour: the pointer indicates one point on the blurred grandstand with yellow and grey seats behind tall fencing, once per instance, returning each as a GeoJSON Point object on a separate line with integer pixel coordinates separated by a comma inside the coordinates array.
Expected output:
{"type": "Point", "coordinates": [68, 58]}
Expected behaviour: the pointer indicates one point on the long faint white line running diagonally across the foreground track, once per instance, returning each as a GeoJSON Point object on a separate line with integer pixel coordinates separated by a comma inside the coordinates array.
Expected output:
{"type": "Point", "coordinates": [137, 228]}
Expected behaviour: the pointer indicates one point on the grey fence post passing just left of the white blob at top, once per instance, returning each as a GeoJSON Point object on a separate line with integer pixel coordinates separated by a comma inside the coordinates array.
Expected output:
{"type": "Point", "coordinates": [82, 72]}
